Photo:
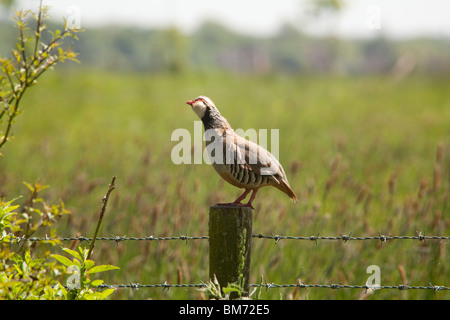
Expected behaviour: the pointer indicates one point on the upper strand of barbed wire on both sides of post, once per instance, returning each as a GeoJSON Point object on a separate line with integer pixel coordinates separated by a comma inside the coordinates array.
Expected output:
{"type": "Point", "coordinates": [277, 238]}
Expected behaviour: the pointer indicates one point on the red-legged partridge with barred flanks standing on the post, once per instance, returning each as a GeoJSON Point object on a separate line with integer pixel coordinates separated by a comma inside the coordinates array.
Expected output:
{"type": "Point", "coordinates": [239, 161]}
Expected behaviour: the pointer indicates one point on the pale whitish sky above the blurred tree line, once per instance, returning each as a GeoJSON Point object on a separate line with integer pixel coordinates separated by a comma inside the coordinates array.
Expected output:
{"type": "Point", "coordinates": [361, 18]}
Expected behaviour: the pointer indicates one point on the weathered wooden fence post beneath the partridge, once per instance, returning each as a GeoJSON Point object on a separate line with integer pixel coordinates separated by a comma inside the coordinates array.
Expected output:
{"type": "Point", "coordinates": [227, 244]}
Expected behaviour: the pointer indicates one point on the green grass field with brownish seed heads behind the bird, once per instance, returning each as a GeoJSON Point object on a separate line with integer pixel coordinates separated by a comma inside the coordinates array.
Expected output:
{"type": "Point", "coordinates": [361, 154]}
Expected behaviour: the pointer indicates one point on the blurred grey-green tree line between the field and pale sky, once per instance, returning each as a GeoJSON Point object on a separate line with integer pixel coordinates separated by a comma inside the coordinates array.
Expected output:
{"type": "Point", "coordinates": [213, 47]}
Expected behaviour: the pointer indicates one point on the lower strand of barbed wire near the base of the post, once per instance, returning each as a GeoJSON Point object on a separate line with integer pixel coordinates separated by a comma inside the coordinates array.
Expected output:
{"type": "Point", "coordinates": [300, 285]}
